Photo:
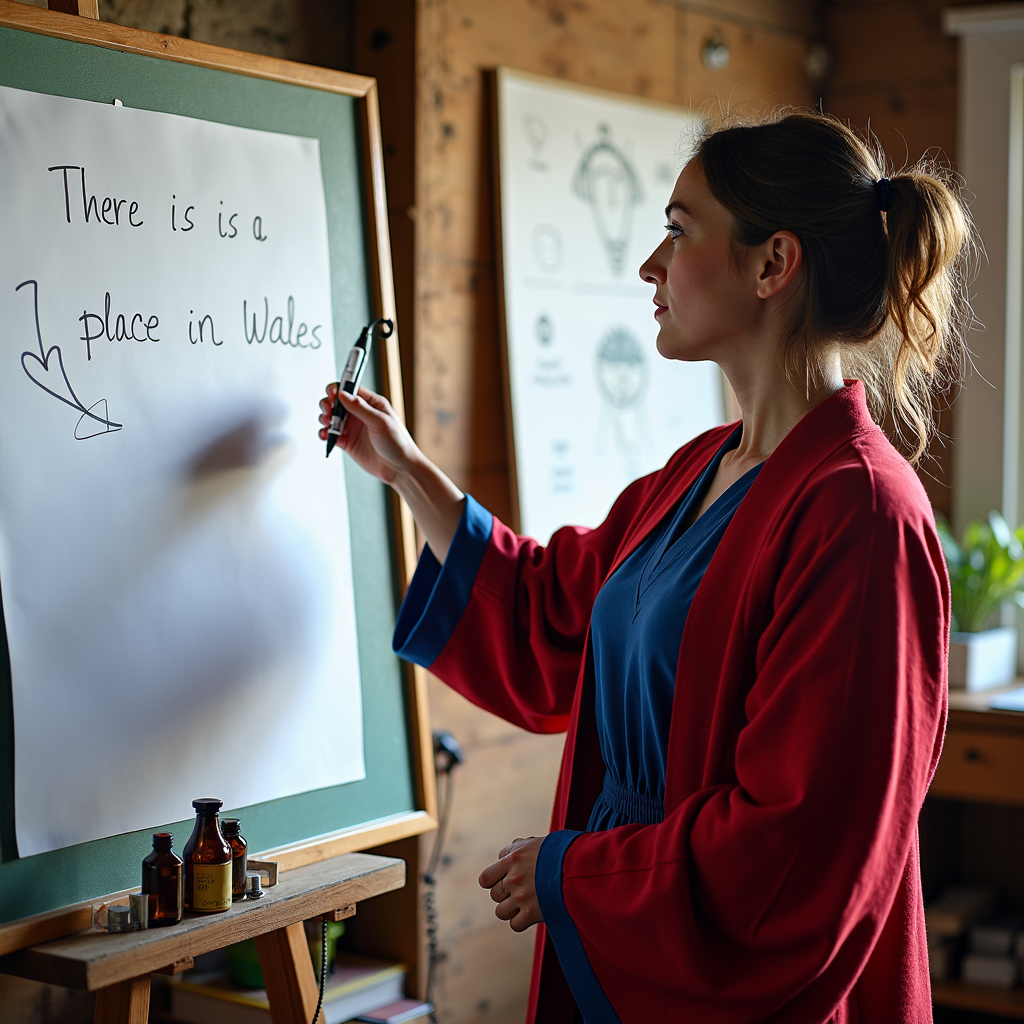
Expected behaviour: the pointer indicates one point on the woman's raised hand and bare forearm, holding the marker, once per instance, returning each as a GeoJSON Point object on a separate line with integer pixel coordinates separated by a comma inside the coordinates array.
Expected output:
{"type": "Point", "coordinates": [379, 443]}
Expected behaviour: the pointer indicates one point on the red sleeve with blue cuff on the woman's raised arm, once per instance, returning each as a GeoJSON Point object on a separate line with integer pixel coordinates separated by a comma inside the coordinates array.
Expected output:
{"type": "Point", "coordinates": [509, 624]}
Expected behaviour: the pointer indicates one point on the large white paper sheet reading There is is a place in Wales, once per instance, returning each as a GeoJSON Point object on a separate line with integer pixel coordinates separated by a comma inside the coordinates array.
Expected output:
{"type": "Point", "coordinates": [175, 550]}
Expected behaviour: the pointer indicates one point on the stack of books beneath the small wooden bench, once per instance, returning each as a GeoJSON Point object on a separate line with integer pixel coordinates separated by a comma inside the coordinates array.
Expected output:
{"type": "Point", "coordinates": [358, 986]}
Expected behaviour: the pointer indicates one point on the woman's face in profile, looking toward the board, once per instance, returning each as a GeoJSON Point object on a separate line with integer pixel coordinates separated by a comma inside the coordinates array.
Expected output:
{"type": "Point", "coordinates": [704, 295]}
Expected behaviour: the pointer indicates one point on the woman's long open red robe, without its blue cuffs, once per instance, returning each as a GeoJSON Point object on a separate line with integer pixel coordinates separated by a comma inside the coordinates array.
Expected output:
{"type": "Point", "coordinates": [810, 704]}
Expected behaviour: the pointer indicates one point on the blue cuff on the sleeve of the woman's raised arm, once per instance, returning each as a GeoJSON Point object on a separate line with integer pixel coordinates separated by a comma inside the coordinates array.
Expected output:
{"type": "Point", "coordinates": [439, 594]}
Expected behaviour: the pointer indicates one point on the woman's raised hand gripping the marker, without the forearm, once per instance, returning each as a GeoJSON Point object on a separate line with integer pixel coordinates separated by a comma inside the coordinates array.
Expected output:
{"type": "Point", "coordinates": [373, 435]}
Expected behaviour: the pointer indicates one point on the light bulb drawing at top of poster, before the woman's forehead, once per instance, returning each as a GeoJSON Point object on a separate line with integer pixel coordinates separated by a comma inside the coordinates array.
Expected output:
{"type": "Point", "coordinates": [608, 182]}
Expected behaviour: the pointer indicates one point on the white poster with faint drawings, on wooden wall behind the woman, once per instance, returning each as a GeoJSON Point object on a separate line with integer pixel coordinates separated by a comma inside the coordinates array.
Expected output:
{"type": "Point", "coordinates": [585, 180]}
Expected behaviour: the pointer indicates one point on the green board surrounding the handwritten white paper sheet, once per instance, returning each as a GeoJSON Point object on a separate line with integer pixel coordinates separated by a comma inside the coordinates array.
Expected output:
{"type": "Point", "coordinates": [66, 67]}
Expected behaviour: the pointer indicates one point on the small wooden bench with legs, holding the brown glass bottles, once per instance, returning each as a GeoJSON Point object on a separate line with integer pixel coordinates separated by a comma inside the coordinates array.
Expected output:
{"type": "Point", "coordinates": [118, 967]}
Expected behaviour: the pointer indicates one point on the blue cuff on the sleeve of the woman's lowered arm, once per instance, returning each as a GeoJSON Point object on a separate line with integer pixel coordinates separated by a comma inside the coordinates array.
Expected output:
{"type": "Point", "coordinates": [562, 929]}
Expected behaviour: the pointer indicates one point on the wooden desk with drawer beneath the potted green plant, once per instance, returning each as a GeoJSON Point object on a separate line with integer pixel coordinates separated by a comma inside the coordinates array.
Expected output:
{"type": "Point", "coordinates": [983, 763]}
